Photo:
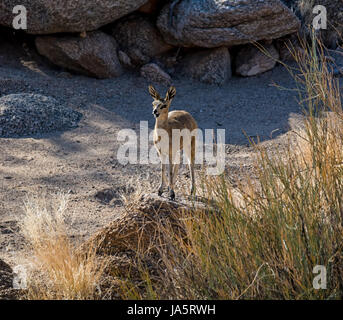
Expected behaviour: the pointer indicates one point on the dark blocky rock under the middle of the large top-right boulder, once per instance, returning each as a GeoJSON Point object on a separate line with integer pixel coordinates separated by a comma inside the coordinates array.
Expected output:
{"type": "Point", "coordinates": [208, 65]}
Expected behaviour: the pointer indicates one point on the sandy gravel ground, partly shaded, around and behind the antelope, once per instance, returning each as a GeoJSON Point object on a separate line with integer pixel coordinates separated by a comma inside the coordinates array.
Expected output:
{"type": "Point", "coordinates": [83, 161]}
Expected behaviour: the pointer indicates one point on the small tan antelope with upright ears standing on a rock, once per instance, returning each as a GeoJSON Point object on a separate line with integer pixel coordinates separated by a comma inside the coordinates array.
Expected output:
{"type": "Point", "coordinates": [172, 123]}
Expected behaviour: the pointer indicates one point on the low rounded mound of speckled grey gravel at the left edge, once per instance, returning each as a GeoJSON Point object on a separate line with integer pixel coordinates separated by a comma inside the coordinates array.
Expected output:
{"type": "Point", "coordinates": [26, 114]}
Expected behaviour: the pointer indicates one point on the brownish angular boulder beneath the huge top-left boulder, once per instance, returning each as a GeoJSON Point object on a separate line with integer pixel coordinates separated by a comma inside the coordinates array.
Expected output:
{"type": "Point", "coordinates": [95, 55]}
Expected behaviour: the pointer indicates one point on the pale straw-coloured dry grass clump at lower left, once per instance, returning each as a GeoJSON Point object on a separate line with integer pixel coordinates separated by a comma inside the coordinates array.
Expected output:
{"type": "Point", "coordinates": [60, 271]}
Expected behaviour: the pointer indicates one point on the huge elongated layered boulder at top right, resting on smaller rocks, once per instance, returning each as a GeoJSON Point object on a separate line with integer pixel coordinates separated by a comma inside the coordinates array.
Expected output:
{"type": "Point", "coordinates": [214, 23]}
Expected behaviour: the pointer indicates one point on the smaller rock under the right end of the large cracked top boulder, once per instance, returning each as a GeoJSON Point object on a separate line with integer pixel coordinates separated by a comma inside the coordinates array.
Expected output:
{"type": "Point", "coordinates": [251, 61]}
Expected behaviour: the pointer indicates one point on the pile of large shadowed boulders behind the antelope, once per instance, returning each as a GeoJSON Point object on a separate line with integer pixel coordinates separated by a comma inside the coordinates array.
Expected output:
{"type": "Point", "coordinates": [199, 37]}
